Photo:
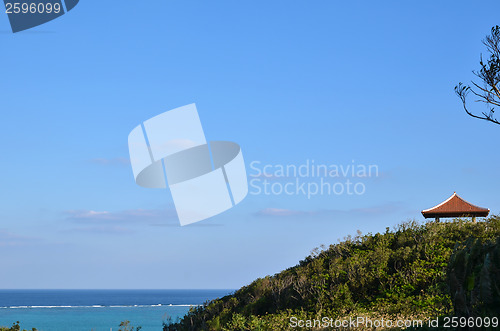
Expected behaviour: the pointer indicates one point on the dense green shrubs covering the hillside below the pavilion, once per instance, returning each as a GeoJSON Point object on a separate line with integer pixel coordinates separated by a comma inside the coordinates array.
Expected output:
{"type": "Point", "coordinates": [415, 271]}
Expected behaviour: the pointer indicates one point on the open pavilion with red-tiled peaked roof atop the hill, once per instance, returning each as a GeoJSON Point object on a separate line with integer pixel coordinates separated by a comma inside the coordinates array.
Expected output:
{"type": "Point", "coordinates": [455, 206]}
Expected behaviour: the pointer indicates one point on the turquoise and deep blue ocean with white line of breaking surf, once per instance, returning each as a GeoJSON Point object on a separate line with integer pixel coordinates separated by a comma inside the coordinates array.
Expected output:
{"type": "Point", "coordinates": [98, 310]}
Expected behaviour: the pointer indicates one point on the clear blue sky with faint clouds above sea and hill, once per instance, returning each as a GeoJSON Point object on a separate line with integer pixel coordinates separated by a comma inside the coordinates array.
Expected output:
{"type": "Point", "coordinates": [289, 81]}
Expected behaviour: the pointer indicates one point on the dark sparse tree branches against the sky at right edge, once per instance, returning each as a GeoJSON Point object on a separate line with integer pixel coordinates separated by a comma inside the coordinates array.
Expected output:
{"type": "Point", "coordinates": [488, 90]}
